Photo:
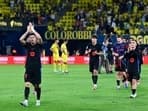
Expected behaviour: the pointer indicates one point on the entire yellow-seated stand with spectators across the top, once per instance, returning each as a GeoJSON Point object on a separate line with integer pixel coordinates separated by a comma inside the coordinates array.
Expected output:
{"type": "Point", "coordinates": [123, 15]}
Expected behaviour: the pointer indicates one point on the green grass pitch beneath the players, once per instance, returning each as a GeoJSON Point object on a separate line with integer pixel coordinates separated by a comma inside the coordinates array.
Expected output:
{"type": "Point", "coordinates": [71, 92]}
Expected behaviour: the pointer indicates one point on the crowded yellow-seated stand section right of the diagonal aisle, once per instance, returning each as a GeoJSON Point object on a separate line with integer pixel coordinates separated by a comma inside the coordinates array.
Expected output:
{"type": "Point", "coordinates": [122, 15]}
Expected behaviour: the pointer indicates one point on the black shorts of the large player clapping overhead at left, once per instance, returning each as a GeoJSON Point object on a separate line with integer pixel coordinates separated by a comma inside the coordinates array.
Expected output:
{"type": "Point", "coordinates": [33, 76]}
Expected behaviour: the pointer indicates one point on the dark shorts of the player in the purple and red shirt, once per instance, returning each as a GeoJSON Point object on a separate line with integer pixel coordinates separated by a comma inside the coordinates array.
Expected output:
{"type": "Point", "coordinates": [119, 65]}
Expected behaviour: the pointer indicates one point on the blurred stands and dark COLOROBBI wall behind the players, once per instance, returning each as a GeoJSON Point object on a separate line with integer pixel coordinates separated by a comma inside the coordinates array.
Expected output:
{"type": "Point", "coordinates": [75, 20]}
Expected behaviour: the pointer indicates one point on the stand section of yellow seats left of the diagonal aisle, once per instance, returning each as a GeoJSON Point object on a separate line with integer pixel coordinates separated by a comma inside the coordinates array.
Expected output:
{"type": "Point", "coordinates": [48, 11]}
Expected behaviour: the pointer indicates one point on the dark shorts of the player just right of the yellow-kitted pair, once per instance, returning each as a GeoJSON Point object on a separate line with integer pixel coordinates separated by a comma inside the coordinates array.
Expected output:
{"type": "Point", "coordinates": [93, 65]}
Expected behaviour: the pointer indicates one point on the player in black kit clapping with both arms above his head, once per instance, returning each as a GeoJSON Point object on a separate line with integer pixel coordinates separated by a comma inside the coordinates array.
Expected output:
{"type": "Point", "coordinates": [32, 41]}
